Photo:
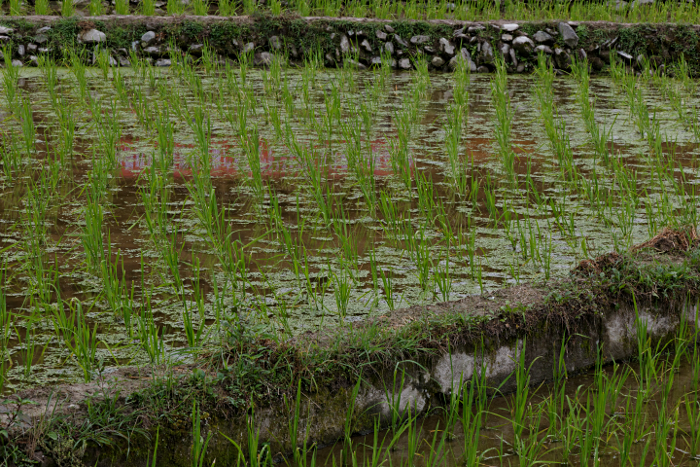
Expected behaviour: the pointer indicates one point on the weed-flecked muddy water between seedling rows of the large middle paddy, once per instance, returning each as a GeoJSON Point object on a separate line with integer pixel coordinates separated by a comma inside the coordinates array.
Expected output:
{"type": "Point", "coordinates": [335, 282]}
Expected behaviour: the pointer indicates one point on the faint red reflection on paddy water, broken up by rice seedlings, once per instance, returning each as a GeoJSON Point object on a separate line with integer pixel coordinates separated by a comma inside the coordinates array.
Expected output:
{"type": "Point", "coordinates": [274, 164]}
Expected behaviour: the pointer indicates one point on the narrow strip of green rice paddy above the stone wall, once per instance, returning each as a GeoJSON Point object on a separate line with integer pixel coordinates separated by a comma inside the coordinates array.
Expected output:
{"type": "Point", "coordinates": [479, 10]}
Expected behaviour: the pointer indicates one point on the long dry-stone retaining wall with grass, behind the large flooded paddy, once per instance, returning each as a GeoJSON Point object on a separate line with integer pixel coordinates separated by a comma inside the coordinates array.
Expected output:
{"type": "Point", "coordinates": [361, 43]}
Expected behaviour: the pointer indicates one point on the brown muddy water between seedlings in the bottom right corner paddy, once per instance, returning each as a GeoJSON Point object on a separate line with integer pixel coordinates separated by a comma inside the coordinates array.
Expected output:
{"type": "Point", "coordinates": [557, 444]}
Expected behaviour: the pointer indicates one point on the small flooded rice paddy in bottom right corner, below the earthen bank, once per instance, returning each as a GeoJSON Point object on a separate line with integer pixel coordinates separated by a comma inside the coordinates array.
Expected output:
{"type": "Point", "coordinates": [645, 414]}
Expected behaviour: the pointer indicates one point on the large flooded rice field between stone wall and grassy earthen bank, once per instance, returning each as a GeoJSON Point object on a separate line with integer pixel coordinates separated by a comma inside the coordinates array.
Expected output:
{"type": "Point", "coordinates": [144, 210]}
